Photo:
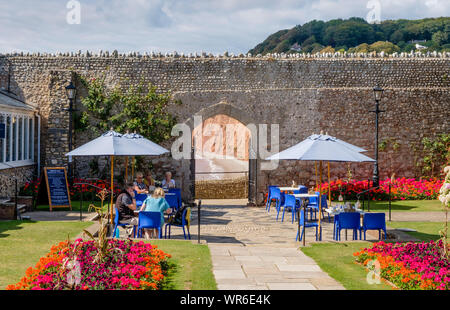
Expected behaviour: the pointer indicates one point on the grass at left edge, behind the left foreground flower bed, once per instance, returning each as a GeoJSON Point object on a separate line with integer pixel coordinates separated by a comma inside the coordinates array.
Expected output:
{"type": "Point", "coordinates": [23, 243]}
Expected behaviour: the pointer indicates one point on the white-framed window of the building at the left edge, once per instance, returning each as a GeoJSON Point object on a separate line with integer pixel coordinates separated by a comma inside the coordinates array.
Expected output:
{"type": "Point", "coordinates": [26, 159]}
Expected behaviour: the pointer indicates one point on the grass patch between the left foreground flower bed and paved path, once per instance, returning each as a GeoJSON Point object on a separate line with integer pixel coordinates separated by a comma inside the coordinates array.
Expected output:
{"type": "Point", "coordinates": [192, 265]}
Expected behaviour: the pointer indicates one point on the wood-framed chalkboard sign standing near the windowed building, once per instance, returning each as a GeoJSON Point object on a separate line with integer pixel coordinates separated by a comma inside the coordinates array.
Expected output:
{"type": "Point", "coordinates": [57, 187]}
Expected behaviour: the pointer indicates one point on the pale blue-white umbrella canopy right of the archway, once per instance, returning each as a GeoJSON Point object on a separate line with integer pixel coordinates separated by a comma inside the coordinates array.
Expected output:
{"type": "Point", "coordinates": [323, 148]}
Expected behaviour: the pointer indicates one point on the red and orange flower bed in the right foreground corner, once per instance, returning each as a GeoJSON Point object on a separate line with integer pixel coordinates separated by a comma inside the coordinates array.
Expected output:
{"type": "Point", "coordinates": [410, 265]}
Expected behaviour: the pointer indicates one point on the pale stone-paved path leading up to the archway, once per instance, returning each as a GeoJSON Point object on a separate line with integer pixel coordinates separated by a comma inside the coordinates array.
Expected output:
{"type": "Point", "coordinates": [251, 251]}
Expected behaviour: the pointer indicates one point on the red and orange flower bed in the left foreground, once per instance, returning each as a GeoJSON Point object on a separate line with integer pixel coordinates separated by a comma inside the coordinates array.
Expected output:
{"type": "Point", "coordinates": [127, 265]}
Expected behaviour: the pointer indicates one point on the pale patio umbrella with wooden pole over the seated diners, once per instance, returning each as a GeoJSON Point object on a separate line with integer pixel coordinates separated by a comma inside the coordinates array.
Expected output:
{"type": "Point", "coordinates": [113, 144]}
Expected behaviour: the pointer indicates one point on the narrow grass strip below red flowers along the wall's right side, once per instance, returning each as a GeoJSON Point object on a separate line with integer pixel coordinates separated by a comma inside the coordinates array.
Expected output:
{"type": "Point", "coordinates": [404, 205]}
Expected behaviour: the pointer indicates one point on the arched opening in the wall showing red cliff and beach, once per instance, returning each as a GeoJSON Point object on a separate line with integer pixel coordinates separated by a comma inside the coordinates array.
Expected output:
{"type": "Point", "coordinates": [221, 147]}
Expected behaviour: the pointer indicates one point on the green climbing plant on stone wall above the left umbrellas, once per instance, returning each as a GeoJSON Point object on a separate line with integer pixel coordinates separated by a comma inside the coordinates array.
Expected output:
{"type": "Point", "coordinates": [139, 108]}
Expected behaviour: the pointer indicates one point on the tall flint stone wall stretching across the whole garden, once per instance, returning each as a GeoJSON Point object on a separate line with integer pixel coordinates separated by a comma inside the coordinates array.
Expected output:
{"type": "Point", "coordinates": [304, 94]}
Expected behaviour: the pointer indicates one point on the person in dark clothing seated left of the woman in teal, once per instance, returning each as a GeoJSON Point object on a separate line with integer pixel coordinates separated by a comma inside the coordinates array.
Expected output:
{"type": "Point", "coordinates": [126, 205]}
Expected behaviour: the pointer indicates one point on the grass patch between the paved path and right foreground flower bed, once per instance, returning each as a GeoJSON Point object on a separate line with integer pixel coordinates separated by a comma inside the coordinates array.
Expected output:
{"type": "Point", "coordinates": [338, 261]}
